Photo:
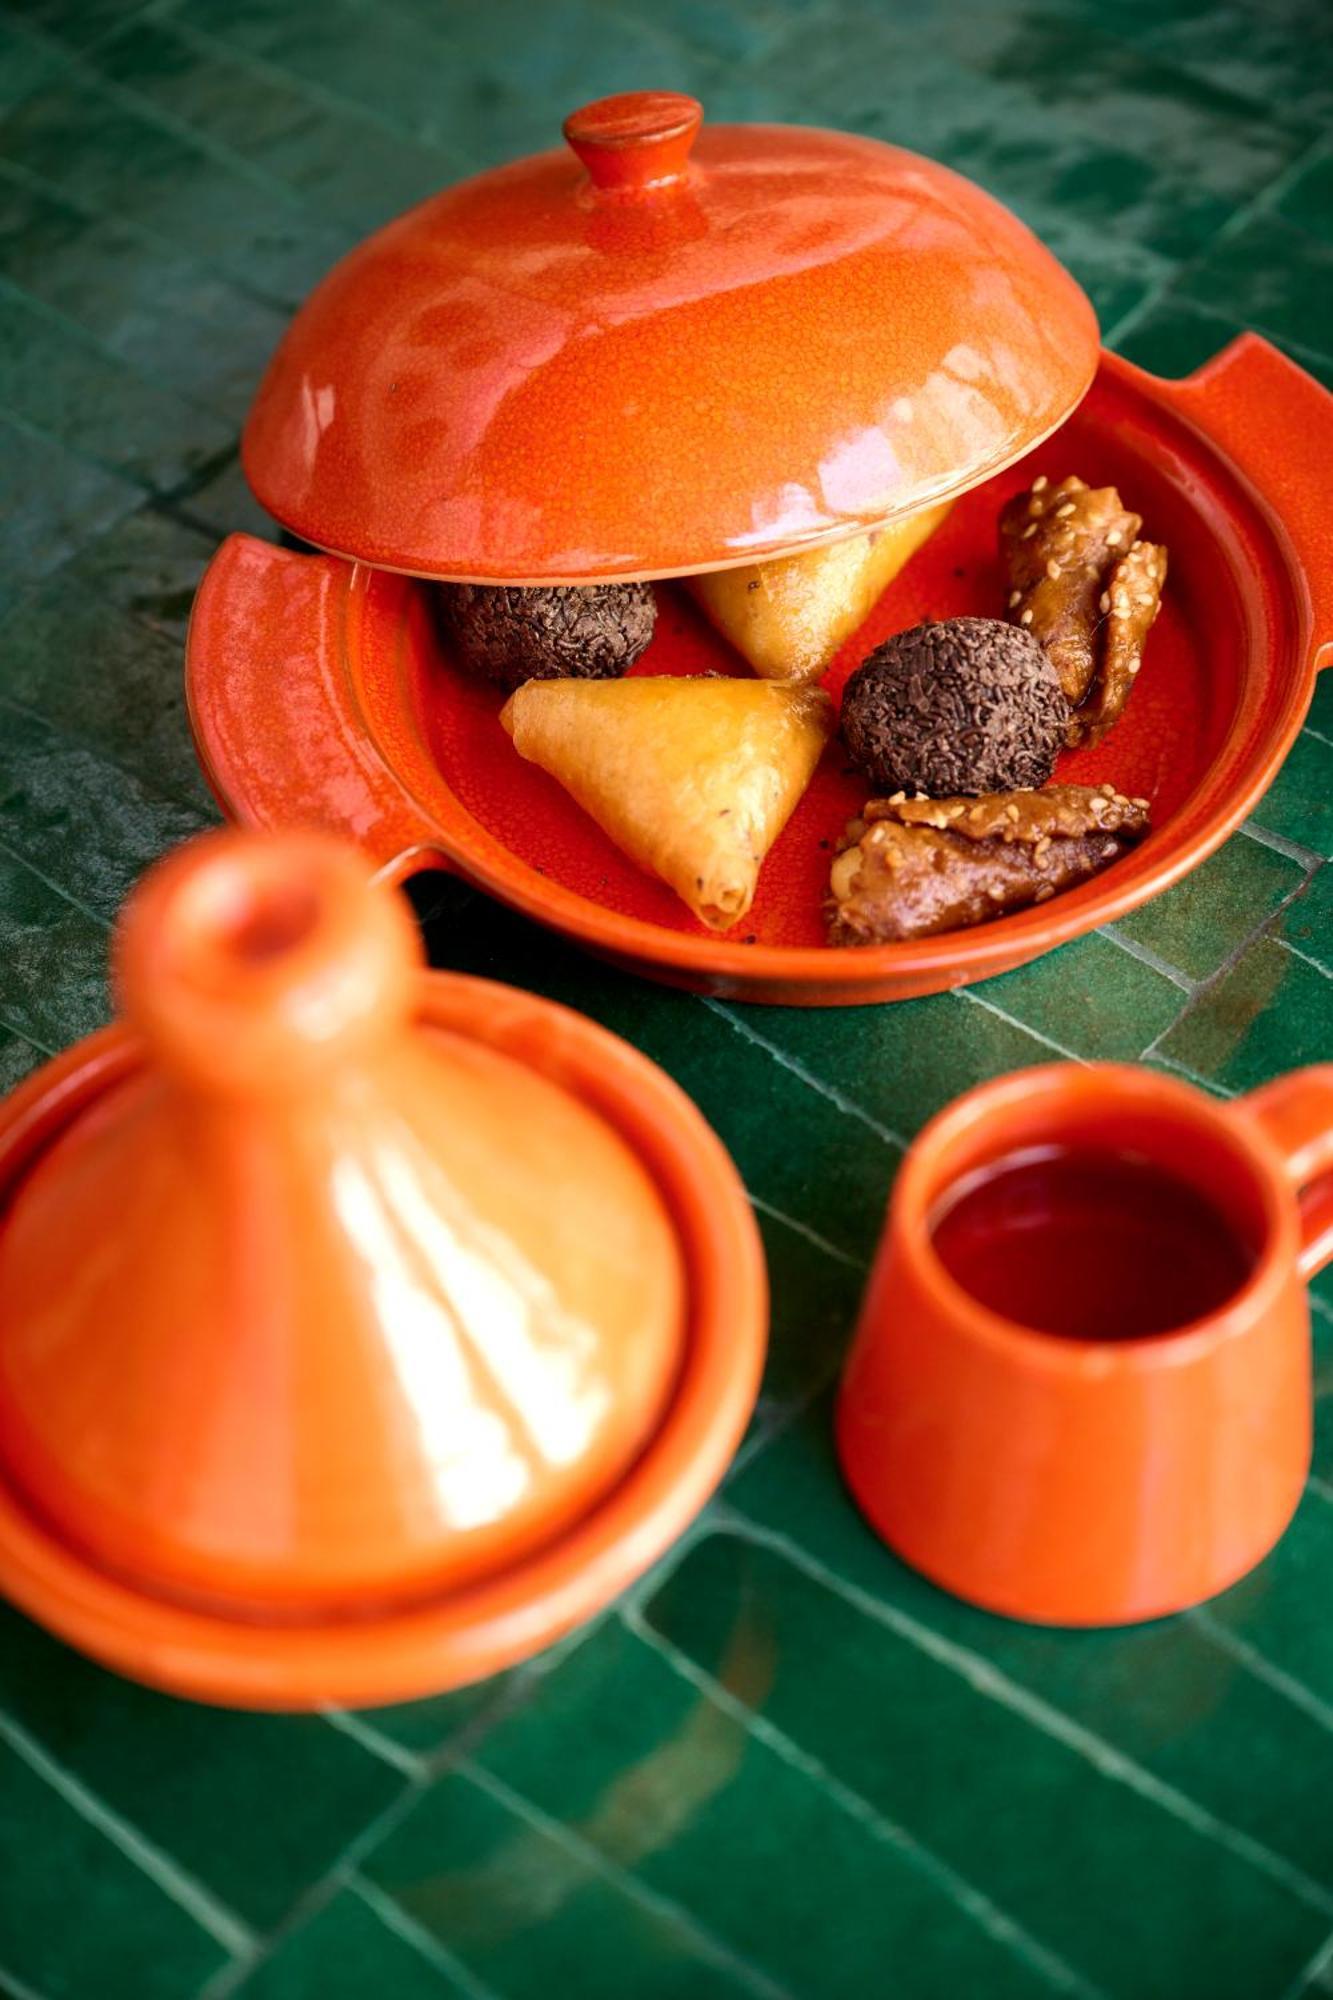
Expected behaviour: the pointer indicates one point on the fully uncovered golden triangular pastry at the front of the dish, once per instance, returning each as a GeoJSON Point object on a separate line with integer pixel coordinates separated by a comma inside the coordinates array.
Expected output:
{"type": "Point", "coordinates": [692, 777]}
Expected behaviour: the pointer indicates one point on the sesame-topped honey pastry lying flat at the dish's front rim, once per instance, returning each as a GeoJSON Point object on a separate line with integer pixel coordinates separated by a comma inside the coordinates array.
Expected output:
{"type": "Point", "coordinates": [918, 867]}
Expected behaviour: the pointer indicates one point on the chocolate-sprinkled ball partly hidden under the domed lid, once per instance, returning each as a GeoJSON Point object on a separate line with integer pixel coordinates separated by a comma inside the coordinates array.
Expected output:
{"type": "Point", "coordinates": [549, 633]}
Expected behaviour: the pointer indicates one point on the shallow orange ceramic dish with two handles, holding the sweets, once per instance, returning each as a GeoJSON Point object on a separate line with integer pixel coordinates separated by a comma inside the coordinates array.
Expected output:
{"type": "Point", "coordinates": [321, 693]}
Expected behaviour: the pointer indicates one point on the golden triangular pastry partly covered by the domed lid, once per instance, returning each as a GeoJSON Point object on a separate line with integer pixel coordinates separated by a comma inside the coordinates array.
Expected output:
{"type": "Point", "coordinates": [792, 615]}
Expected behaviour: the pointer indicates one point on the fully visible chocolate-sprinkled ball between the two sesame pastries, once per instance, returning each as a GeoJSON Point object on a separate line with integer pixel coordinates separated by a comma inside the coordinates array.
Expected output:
{"type": "Point", "coordinates": [970, 705]}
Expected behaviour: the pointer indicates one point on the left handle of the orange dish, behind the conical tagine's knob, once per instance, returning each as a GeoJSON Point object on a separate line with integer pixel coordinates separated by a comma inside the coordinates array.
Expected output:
{"type": "Point", "coordinates": [273, 713]}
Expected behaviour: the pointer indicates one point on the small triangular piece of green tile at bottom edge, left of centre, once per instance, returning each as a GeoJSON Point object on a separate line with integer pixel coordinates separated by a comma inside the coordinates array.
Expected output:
{"type": "Point", "coordinates": [347, 1953]}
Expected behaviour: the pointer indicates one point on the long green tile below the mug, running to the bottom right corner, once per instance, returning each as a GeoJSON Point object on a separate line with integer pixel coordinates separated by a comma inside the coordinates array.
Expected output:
{"type": "Point", "coordinates": [990, 1791]}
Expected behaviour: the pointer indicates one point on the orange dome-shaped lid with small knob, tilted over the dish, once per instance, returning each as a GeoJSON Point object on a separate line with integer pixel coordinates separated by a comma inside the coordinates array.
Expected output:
{"type": "Point", "coordinates": [665, 349]}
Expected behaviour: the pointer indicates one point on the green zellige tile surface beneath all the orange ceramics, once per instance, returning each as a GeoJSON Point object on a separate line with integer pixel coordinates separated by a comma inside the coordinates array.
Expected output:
{"type": "Point", "coordinates": [784, 1765]}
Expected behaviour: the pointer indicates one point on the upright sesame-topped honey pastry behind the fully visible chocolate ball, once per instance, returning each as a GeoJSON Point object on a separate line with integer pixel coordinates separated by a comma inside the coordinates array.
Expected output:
{"type": "Point", "coordinates": [1088, 589]}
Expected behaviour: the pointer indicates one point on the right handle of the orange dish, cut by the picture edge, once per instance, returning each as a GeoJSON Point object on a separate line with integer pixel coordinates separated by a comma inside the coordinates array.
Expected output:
{"type": "Point", "coordinates": [1276, 425]}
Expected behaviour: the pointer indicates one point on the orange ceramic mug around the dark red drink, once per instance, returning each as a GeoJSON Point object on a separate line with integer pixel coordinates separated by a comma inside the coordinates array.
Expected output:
{"type": "Point", "coordinates": [1096, 1481]}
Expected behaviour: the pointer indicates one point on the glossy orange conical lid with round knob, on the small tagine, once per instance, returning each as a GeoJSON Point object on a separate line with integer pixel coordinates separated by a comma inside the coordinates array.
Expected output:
{"type": "Point", "coordinates": [321, 1309]}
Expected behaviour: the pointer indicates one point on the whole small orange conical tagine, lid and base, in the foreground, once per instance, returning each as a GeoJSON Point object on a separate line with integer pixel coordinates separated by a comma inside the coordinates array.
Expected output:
{"type": "Point", "coordinates": [409, 1317]}
